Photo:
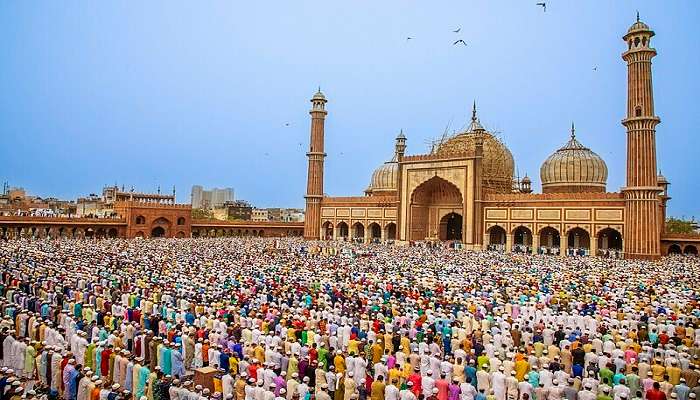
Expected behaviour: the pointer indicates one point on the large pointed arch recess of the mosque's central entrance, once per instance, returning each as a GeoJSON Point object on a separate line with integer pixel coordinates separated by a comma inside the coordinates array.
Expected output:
{"type": "Point", "coordinates": [426, 202]}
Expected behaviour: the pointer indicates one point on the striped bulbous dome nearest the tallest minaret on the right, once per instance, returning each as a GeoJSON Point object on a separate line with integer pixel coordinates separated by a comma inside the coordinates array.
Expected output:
{"type": "Point", "coordinates": [573, 168]}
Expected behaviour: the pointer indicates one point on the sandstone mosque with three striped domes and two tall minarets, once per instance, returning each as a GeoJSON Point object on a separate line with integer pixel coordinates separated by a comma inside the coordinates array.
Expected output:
{"type": "Point", "coordinates": [464, 189]}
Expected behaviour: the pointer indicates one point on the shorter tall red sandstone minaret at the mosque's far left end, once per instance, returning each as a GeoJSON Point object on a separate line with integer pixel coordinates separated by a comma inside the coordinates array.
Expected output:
{"type": "Point", "coordinates": [314, 177]}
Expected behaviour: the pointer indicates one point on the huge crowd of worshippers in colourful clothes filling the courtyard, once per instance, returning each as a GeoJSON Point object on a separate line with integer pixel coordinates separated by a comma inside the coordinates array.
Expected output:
{"type": "Point", "coordinates": [283, 319]}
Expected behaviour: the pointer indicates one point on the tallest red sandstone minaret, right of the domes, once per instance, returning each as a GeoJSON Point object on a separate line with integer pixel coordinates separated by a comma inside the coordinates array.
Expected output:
{"type": "Point", "coordinates": [642, 218]}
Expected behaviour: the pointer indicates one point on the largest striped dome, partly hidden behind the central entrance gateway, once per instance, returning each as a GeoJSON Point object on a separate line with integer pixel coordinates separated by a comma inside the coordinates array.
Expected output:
{"type": "Point", "coordinates": [497, 164]}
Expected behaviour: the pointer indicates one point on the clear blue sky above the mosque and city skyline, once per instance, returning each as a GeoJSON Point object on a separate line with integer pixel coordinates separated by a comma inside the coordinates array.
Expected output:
{"type": "Point", "coordinates": [181, 93]}
